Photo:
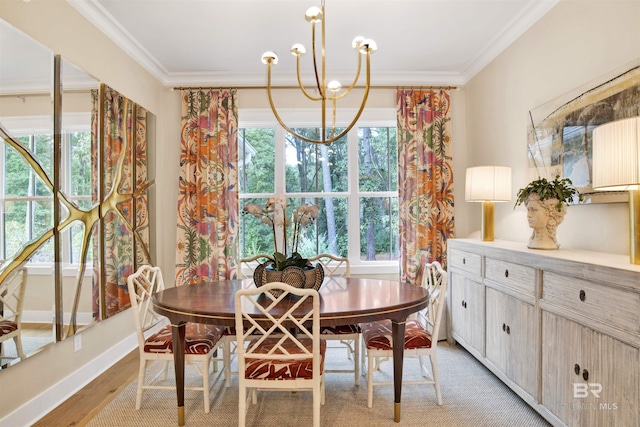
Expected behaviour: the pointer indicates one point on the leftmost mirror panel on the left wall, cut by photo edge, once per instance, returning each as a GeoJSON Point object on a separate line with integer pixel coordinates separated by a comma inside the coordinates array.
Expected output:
{"type": "Point", "coordinates": [27, 115]}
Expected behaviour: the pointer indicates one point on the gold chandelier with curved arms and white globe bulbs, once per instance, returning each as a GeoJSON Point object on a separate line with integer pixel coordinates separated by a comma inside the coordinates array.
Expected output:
{"type": "Point", "coordinates": [326, 92]}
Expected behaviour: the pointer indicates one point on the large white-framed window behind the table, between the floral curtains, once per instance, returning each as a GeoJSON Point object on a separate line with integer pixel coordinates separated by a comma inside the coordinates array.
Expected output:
{"type": "Point", "coordinates": [353, 181]}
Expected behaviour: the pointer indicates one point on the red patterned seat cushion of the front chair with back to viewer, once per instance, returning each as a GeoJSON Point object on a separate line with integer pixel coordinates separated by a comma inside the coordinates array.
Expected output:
{"type": "Point", "coordinates": [275, 369]}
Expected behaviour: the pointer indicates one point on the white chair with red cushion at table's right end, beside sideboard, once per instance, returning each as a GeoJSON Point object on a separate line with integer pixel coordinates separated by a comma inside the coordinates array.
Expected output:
{"type": "Point", "coordinates": [420, 338]}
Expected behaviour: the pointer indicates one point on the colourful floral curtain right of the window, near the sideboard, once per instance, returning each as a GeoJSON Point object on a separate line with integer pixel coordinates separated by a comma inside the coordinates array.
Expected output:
{"type": "Point", "coordinates": [425, 179]}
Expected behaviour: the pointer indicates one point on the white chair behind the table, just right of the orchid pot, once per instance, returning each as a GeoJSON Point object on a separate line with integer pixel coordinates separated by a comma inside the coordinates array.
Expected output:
{"type": "Point", "coordinates": [347, 335]}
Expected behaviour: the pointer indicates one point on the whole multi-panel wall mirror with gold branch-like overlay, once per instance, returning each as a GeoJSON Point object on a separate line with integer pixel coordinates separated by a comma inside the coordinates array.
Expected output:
{"type": "Point", "coordinates": [75, 189]}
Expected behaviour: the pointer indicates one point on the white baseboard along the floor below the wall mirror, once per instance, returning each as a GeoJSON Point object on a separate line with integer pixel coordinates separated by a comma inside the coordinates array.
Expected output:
{"type": "Point", "coordinates": [51, 398]}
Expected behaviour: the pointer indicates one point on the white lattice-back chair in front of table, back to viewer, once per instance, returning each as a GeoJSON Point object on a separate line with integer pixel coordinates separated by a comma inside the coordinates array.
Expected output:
{"type": "Point", "coordinates": [270, 355]}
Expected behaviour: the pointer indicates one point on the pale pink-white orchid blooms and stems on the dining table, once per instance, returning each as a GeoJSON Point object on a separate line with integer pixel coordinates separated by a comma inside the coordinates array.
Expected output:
{"type": "Point", "coordinates": [274, 214]}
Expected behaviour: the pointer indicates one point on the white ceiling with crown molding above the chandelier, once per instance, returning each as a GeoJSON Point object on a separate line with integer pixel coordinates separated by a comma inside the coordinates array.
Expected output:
{"type": "Point", "coordinates": [220, 42]}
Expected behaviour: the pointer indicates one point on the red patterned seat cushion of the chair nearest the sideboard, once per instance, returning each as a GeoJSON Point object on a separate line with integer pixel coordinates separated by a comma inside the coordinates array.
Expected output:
{"type": "Point", "coordinates": [377, 335]}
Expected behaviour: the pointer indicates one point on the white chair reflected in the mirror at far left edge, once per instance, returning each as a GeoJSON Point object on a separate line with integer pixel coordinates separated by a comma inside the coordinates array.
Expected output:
{"type": "Point", "coordinates": [12, 291]}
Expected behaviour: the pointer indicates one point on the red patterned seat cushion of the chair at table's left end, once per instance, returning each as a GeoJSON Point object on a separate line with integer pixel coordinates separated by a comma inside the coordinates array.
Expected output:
{"type": "Point", "coordinates": [199, 339]}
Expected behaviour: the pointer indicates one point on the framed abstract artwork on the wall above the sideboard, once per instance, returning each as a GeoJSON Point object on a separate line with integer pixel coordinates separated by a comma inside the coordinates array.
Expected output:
{"type": "Point", "coordinates": [559, 140]}
